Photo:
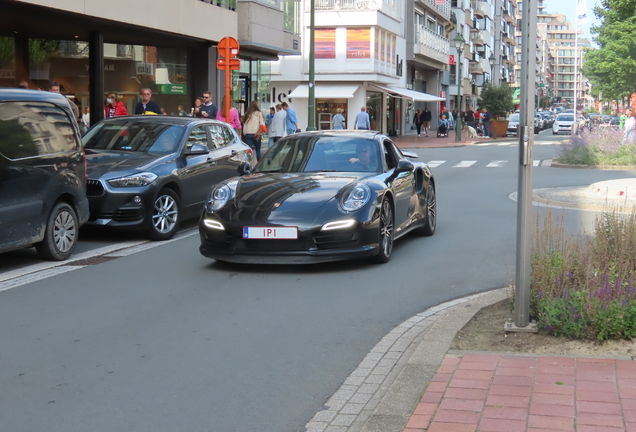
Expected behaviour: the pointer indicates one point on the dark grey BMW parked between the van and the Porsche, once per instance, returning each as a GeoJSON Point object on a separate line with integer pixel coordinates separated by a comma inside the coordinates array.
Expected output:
{"type": "Point", "coordinates": [151, 172]}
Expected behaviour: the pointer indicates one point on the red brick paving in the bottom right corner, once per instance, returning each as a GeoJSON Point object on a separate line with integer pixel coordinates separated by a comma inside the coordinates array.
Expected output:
{"type": "Point", "coordinates": [507, 393]}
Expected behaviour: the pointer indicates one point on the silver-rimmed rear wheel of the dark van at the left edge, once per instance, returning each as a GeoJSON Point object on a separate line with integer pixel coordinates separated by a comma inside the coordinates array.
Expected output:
{"type": "Point", "coordinates": [61, 232]}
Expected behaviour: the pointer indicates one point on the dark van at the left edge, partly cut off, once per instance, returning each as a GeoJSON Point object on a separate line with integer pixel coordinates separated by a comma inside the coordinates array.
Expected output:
{"type": "Point", "coordinates": [42, 174]}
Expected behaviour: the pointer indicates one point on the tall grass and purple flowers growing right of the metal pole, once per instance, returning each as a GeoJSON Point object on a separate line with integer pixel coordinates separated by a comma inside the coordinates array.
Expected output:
{"type": "Point", "coordinates": [581, 287]}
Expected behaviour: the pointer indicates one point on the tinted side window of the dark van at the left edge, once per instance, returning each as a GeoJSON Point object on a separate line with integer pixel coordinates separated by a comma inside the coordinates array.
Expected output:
{"type": "Point", "coordinates": [30, 129]}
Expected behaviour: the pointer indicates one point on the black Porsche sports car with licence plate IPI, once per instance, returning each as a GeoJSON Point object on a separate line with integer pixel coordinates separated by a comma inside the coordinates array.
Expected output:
{"type": "Point", "coordinates": [318, 197]}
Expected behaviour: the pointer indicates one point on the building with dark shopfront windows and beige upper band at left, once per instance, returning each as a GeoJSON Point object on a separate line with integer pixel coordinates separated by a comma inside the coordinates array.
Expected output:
{"type": "Point", "coordinates": [91, 48]}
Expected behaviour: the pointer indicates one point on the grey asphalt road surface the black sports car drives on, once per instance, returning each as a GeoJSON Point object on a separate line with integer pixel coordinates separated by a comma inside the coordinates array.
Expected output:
{"type": "Point", "coordinates": [166, 340]}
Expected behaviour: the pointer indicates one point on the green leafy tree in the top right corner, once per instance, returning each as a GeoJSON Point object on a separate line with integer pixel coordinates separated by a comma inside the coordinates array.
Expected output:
{"type": "Point", "coordinates": [612, 67]}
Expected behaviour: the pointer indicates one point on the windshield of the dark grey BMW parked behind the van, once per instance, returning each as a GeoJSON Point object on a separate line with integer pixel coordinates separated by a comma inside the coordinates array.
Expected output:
{"type": "Point", "coordinates": [134, 136]}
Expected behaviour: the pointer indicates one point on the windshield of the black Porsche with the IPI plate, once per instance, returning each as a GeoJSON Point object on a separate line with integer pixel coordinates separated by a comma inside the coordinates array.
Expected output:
{"type": "Point", "coordinates": [322, 153]}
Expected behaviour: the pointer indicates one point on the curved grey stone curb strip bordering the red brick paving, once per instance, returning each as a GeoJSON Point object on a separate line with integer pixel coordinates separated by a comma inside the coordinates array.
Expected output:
{"type": "Point", "coordinates": [382, 392]}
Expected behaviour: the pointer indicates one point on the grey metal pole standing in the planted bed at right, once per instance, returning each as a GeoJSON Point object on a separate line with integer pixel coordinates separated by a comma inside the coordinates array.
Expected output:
{"type": "Point", "coordinates": [526, 140]}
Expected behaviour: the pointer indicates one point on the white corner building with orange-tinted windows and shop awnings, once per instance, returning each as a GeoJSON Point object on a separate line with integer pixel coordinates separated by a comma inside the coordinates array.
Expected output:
{"type": "Point", "coordinates": [386, 55]}
